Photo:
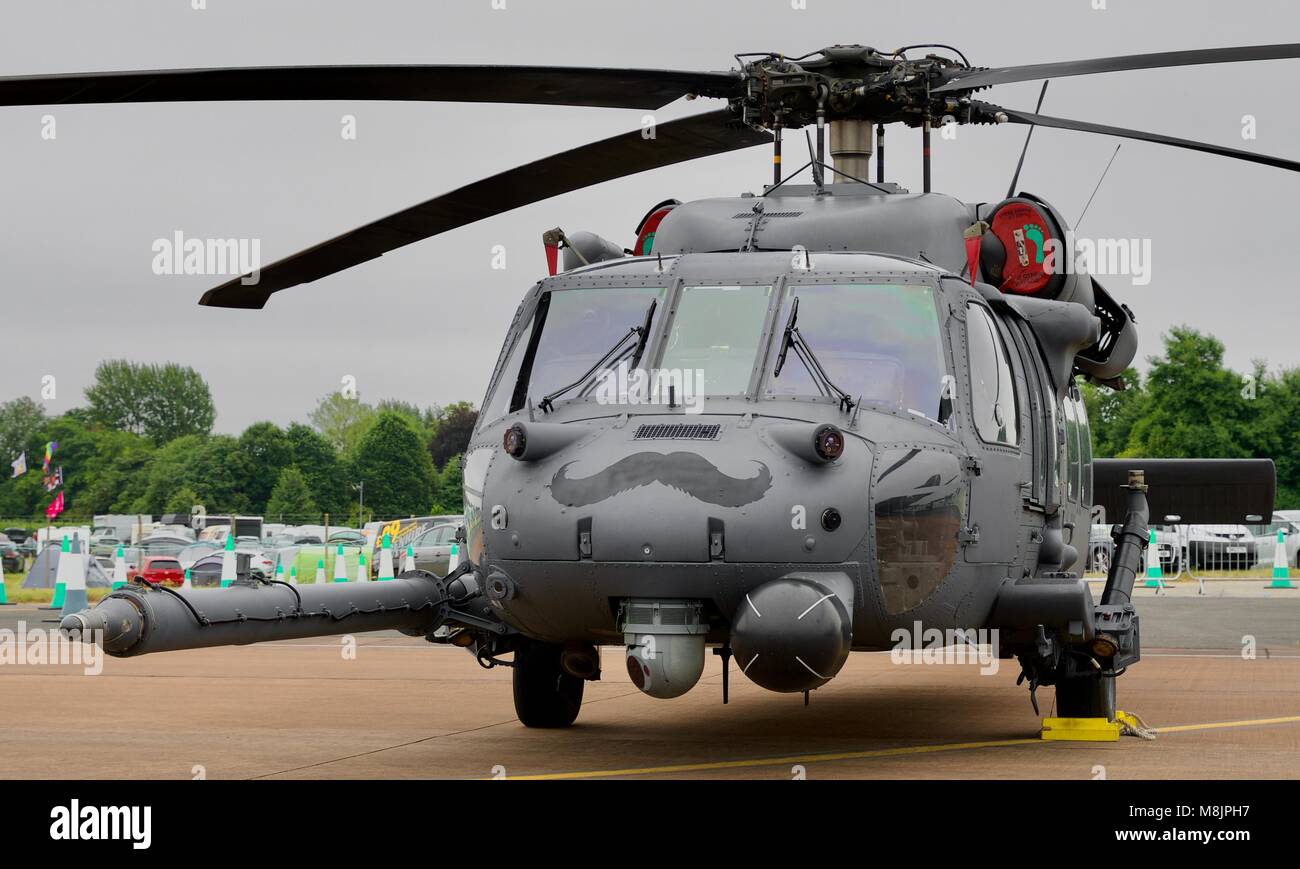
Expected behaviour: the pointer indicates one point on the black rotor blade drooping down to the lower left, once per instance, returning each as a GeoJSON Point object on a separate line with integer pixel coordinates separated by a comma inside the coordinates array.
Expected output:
{"type": "Point", "coordinates": [623, 155]}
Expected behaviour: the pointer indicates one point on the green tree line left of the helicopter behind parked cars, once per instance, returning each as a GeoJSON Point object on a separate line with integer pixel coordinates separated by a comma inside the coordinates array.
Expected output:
{"type": "Point", "coordinates": [144, 443]}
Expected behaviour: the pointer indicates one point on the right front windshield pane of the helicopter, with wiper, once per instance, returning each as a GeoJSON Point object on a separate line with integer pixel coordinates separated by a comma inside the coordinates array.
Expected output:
{"type": "Point", "coordinates": [879, 341]}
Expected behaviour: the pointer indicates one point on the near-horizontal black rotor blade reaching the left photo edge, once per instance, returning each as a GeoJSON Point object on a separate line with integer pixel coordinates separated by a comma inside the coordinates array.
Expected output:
{"type": "Point", "coordinates": [644, 89]}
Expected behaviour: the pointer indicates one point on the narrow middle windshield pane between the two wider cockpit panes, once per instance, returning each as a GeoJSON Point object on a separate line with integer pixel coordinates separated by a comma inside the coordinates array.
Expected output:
{"type": "Point", "coordinates": [716, 335]}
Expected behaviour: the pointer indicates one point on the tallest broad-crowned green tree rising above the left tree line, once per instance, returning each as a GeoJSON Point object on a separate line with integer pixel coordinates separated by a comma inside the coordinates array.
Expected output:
{"type": "Point", "coordinates": [159, 403]}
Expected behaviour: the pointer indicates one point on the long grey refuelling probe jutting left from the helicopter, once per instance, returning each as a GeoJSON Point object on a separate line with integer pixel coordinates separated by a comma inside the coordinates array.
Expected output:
{"type": "Point", "coordinates": [140, 620]}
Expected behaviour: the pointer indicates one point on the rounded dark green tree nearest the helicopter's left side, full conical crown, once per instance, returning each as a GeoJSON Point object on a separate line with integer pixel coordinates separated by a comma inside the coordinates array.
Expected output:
{"type": "Point", "coordinates": [395, 464]}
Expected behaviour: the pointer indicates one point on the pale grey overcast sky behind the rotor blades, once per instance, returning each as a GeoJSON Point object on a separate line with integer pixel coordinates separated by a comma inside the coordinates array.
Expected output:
{"type": "Point", "coordinates": [424, 325]}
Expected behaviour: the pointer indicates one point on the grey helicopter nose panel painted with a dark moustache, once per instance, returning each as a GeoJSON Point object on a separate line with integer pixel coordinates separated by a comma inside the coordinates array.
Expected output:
{"type": "Point", "coordinates": [717, 488]}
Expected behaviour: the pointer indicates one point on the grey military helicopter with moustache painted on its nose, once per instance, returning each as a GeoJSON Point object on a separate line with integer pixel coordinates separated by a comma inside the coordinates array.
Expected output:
{"type": "Point", "coordinates": [782, 426]}
